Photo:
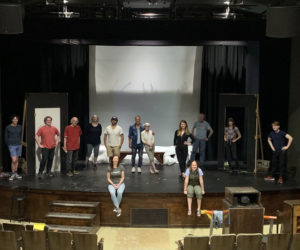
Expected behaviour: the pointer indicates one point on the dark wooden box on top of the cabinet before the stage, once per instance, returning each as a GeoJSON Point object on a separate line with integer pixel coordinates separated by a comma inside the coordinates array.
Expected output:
{"type": "Point", "coordinates": [233, 195]}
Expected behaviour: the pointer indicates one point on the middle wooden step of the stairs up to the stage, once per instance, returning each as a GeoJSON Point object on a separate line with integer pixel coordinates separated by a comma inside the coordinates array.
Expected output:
{"type": "Point", "coordinates": [70, 219]}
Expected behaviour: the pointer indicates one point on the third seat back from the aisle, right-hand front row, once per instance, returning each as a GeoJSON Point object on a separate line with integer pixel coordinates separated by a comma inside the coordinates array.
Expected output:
{"type": "Point", "coordinates": [249, 241]}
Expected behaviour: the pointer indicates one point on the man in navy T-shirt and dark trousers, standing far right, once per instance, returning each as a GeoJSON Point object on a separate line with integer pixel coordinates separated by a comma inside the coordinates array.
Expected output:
{"type": "Point", "coordinates": [277, 141]}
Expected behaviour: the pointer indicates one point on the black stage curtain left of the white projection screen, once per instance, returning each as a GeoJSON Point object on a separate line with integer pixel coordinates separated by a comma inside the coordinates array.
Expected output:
{"type": "Point", "coordinates": [44, 68]}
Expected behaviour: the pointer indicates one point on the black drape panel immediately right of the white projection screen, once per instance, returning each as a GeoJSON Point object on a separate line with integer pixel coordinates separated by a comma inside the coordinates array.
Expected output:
{"type": "Point", "coordinates": [223, 71]}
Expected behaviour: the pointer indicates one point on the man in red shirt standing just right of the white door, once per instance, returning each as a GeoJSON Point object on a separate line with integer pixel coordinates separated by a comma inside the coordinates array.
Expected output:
{"type": "Point", "coordinates": [72, 144]}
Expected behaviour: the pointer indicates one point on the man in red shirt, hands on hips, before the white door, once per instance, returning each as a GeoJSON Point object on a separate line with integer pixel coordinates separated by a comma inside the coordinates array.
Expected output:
{"type": "Point", "coordinates": [49, 140]}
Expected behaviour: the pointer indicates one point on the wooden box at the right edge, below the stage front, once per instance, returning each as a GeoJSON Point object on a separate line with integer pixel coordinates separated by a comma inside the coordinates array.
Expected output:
{"type": "Point", "coordinates": [290, 216]}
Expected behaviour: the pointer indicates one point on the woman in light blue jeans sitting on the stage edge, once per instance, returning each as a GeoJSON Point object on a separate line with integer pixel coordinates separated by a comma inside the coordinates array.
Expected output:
{"type": "Point", "coordinates": [115, 177]}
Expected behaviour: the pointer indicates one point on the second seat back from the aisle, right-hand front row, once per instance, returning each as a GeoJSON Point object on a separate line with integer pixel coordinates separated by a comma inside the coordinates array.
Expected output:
{"type": "Point", "coordinates": [224, 242]}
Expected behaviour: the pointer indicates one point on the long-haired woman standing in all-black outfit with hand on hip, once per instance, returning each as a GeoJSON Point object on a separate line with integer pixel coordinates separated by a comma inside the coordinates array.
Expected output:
{"type": "Point", "coordinates": [181, 145]}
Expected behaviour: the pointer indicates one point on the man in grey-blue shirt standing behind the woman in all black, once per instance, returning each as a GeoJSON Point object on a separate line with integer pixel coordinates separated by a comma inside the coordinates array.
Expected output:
{"type": "Point", "coordinates": [200, 129]}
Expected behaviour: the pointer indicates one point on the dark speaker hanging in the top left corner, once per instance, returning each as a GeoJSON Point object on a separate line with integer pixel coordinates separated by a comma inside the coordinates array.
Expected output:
{"type": "Point", "coordinates": [11, 18]}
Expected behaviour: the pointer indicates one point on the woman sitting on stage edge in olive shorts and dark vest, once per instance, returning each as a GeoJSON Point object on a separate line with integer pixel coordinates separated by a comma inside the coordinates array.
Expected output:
{"type": "Point", "coordinates": [194, 184]}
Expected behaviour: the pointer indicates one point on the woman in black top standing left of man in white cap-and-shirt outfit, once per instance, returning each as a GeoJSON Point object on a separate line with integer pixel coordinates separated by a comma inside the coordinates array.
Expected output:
{"type": "Point", "coordinates": [93, 139]}
